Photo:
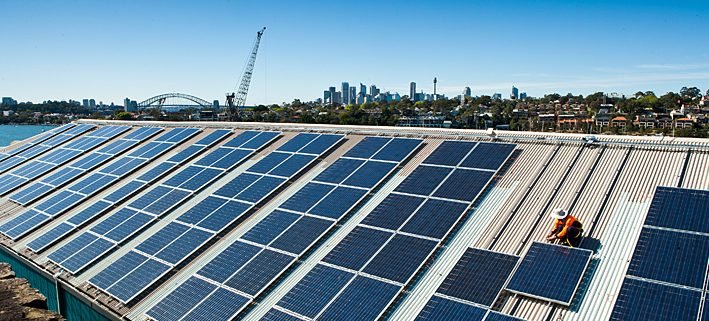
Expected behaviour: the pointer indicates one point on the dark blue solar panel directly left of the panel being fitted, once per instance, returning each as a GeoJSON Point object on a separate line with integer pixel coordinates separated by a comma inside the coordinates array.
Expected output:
{"type": "Point", "coordinates": [479, 276]}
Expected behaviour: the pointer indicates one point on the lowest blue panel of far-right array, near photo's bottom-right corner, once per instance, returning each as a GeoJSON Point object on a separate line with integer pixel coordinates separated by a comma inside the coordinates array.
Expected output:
{"type": "Point", "coordinates": [640, 301]}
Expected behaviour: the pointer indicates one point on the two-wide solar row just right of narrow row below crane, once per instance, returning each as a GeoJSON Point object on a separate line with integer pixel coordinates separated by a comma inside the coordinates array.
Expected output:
{"type": "Point", "coordinates": [139, 213]}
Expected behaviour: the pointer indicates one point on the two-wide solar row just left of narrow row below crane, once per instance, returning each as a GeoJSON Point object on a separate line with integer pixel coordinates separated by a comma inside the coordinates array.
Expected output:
{"type": "Point", "coordinates": [78, 192]}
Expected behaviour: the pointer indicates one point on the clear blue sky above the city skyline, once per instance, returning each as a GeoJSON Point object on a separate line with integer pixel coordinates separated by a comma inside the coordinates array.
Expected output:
{"type": "Point", "coordinates": [109, 50]}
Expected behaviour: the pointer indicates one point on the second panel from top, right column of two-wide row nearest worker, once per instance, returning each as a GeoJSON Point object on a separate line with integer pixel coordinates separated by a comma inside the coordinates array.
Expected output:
{"type": "Point", "coordinates": [463, 184]}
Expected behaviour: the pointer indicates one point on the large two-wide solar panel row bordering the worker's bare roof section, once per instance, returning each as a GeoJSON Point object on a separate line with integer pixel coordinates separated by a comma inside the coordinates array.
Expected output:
{"type": "Point", "coordinates": [362, 275]}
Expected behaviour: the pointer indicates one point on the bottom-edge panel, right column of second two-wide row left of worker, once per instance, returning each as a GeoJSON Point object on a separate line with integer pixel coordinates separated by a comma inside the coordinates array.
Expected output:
{"type": "Point", "coordinates": [220, 305]}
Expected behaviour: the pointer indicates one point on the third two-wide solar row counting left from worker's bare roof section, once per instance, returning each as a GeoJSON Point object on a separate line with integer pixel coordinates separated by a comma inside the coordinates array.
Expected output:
{"type": "Point", "coordinates": [171, 251]}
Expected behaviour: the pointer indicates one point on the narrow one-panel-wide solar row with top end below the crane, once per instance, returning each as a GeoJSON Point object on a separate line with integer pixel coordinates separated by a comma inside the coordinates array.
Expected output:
{"type": "Point", "coordinates": [81, 218]}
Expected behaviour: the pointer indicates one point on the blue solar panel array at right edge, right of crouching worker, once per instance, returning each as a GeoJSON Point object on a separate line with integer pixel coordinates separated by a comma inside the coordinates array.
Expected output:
{"type": "Point", "coordinates": [667, 274]}
